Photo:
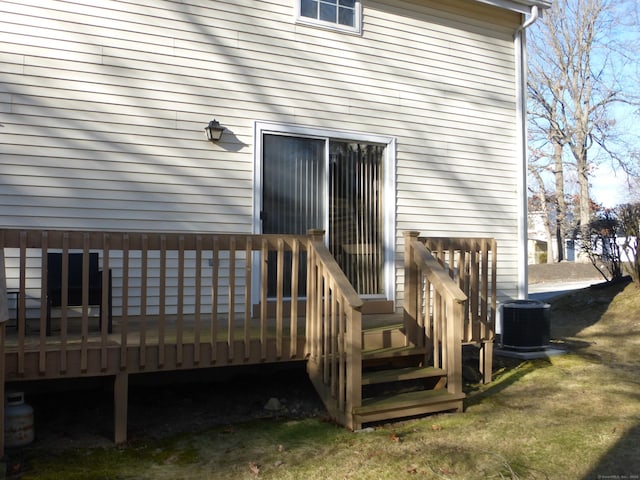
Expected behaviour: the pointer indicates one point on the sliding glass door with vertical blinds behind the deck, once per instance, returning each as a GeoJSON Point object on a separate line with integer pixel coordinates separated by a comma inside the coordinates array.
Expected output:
{"type": "Point", "coordinates": [330, 184]}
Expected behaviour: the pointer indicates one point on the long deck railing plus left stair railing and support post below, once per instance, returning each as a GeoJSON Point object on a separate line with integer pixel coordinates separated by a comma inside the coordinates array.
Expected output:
{"type": "Point", "coordinates": [180, 301]}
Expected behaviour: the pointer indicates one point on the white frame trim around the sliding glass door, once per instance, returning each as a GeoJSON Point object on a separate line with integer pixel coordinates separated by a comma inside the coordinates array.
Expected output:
{"type": "Point", "coordinates": [389, 184]}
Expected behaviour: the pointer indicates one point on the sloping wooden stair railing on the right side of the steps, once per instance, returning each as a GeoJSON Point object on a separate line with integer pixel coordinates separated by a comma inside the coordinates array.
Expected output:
{"type": "Point", "coordinates": [419, 264]}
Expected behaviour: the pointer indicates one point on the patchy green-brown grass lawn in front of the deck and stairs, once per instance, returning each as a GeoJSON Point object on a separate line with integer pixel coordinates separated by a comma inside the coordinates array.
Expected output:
{"type": "Point", "coordinates": [575, 416]}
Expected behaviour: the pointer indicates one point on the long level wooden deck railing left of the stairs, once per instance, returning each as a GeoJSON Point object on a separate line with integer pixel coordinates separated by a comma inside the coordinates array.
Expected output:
{"type": "Point", "coordinates": [178, 301]}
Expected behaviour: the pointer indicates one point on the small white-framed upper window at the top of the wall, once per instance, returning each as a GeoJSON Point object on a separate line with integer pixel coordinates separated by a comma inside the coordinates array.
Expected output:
{"type": "Point", "coordinates": [338, 14]}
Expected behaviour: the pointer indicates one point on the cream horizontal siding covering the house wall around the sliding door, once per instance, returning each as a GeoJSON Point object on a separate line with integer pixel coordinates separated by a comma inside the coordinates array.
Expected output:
{"type": "Point", "coordinates": [103, 107]}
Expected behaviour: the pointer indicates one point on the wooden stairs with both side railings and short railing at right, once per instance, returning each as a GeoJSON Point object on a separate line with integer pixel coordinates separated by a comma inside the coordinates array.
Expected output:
{"type": "Point", "coordinates": [370, 364]}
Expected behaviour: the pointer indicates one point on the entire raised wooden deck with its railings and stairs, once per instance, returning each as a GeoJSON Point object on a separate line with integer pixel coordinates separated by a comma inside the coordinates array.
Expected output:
{"type": "Point", "coordinates": [170, 298]}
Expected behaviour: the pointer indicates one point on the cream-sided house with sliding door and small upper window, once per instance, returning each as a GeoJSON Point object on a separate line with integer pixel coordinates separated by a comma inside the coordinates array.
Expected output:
{"type": "Point", "coordinates": [365, 119]}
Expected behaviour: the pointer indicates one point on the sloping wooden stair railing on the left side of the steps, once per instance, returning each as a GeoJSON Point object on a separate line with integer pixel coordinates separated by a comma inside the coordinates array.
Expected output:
{"type": "Point", "coordinates": [334, 332]}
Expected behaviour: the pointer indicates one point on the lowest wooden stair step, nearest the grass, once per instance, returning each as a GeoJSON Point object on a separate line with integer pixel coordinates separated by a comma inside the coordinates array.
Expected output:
{"type": "Point", "coordinates": [408, 404]}
